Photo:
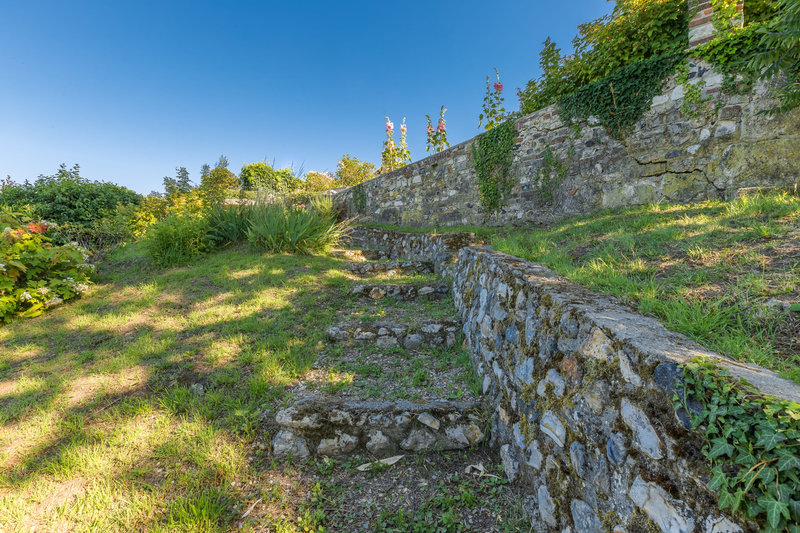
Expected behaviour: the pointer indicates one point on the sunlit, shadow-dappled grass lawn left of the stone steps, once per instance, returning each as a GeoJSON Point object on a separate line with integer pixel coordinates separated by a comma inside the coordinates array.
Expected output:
{"type": "Point", "coordinates": [140, 406]}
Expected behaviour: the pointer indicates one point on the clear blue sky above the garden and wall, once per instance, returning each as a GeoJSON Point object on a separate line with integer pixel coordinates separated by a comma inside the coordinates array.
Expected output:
{"type": "Point", "coordinates": [130, 90]}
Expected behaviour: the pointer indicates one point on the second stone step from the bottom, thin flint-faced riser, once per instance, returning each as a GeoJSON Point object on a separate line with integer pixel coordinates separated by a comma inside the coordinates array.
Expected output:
{"type": "Point", "coordinates": [440, 332]}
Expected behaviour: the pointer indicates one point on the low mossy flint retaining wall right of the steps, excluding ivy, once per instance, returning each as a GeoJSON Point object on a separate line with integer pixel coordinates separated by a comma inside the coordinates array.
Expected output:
{"type": "Point", "coordinates": [581, 389]}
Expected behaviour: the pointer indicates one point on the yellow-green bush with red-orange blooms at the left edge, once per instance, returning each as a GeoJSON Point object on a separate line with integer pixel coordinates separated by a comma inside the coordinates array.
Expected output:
{"type": "Point", "coordinates": [34, 274]}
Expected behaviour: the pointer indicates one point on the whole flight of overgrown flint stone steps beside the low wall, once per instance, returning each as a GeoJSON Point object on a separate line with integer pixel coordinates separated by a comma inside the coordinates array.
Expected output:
{"type": "Point", "coordinates": [389, 380]}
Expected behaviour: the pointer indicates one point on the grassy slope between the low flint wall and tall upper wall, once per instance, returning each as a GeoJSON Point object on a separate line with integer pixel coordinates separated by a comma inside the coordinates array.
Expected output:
{"type": "Point", "coordinates": [722, 273]}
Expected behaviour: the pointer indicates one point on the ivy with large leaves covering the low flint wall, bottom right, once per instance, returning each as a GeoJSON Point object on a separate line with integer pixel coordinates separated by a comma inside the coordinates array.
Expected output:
{"type": "Point", "coordinates": [753, 446]}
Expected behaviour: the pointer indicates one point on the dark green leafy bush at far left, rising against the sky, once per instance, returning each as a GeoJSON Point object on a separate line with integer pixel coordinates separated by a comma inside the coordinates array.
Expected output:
{"type": "Point", "coordinates": [66, 197]}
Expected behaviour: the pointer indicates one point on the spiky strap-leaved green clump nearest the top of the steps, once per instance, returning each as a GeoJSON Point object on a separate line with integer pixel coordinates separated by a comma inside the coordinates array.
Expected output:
{"type": "Point", "coordinates": [282, 227]}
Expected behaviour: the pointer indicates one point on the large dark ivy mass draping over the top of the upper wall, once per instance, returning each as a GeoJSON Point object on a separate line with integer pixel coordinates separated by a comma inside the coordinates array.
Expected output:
{"type": "Point", "coordinates": [620, 99]}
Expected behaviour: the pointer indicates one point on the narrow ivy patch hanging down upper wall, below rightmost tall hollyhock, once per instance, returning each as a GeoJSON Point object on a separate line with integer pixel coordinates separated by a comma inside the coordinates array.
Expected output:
{"type": "Point", "coordinates": [492, 155]}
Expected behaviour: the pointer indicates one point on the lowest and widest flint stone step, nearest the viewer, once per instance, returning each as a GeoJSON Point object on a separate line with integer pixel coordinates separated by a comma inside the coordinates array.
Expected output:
{"type": "Point", "coordinates": [321, 427]}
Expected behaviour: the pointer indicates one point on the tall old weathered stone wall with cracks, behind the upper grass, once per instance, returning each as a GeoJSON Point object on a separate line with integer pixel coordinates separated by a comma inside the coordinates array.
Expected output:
{"type": "Point", "coordinates": [668, 157]}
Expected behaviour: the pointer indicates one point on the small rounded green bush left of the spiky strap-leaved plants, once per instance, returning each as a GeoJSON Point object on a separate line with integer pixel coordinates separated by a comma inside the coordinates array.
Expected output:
{"type": "Point", "coordinates": [177, 239]}
